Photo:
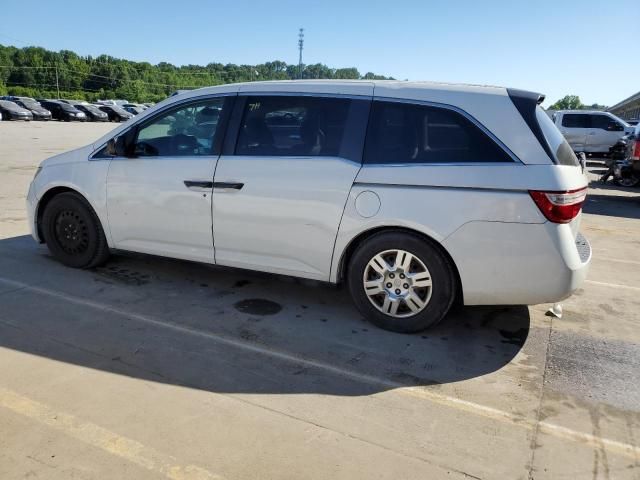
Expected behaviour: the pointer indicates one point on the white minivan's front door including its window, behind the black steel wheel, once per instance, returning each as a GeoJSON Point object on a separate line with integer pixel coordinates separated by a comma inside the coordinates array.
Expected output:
{"type": "Point", "coordinates": [159, 200]}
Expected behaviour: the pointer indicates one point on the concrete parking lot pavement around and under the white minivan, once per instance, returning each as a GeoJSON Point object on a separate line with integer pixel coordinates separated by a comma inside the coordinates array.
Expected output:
{"type": "Point", "coordinates": [155, 368]}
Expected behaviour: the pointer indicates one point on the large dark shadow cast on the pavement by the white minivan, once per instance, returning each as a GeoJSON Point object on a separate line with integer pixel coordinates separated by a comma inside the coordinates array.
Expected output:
{"type": "Point", "coordinates": [233, 331]}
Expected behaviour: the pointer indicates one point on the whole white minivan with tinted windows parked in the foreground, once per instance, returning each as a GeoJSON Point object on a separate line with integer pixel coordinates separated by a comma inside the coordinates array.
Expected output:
{"type": "Point", "coordinates": [413, 194]}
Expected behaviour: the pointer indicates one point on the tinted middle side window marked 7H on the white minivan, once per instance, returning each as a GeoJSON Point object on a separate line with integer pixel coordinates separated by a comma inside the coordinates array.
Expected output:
{"type": "Point", "coordinates": [292, 126]}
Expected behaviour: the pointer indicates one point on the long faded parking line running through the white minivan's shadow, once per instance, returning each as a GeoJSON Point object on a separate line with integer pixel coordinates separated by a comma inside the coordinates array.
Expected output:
{"type": "Point", "coordinates": [621, 448]}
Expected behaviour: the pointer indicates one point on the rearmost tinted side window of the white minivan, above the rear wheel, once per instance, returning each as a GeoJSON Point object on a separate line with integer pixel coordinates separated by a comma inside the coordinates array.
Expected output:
{"type": "Point", "coordinates": [401, 133]}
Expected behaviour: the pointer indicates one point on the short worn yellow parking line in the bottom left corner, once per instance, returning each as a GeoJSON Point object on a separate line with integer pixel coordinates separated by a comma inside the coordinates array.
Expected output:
{"type": "Point", "coordinates": [103, 439]}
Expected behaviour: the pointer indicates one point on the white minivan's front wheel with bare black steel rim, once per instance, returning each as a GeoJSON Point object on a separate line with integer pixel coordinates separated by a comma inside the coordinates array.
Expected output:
{"type": "Point", "coordinates": [73, 232]}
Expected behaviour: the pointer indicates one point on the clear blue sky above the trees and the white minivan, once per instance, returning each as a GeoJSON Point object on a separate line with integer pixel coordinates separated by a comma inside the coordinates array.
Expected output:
{"type": "Point", "coordinates": [587, 48]}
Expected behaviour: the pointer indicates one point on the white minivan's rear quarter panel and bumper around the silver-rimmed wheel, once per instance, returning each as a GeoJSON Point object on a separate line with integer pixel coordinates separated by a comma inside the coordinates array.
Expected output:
{"type": "Point", "coordinates": [504, 249]}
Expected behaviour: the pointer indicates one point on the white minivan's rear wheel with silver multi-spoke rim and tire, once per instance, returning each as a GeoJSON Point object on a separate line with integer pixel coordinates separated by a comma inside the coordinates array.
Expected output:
{"type": "Point", "coordinates": [401, 282]}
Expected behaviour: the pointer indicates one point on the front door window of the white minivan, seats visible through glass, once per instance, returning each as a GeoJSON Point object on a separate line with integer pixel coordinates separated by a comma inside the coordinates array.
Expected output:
{"type": "Point", "coordinates": [189, 130]}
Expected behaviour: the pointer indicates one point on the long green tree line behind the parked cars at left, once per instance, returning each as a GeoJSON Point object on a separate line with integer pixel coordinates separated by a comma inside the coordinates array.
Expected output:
{"type": "Point", "coordinates": [38, 72]}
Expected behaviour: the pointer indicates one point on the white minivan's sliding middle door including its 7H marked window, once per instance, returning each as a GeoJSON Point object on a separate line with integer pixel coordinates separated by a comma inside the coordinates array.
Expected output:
{"type": "Point", "coordinates": [279, 194]}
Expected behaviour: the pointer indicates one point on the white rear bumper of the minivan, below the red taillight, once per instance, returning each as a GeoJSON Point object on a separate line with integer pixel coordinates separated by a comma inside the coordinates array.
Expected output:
{"type": "Point", "coordinates": [518, 264]}
